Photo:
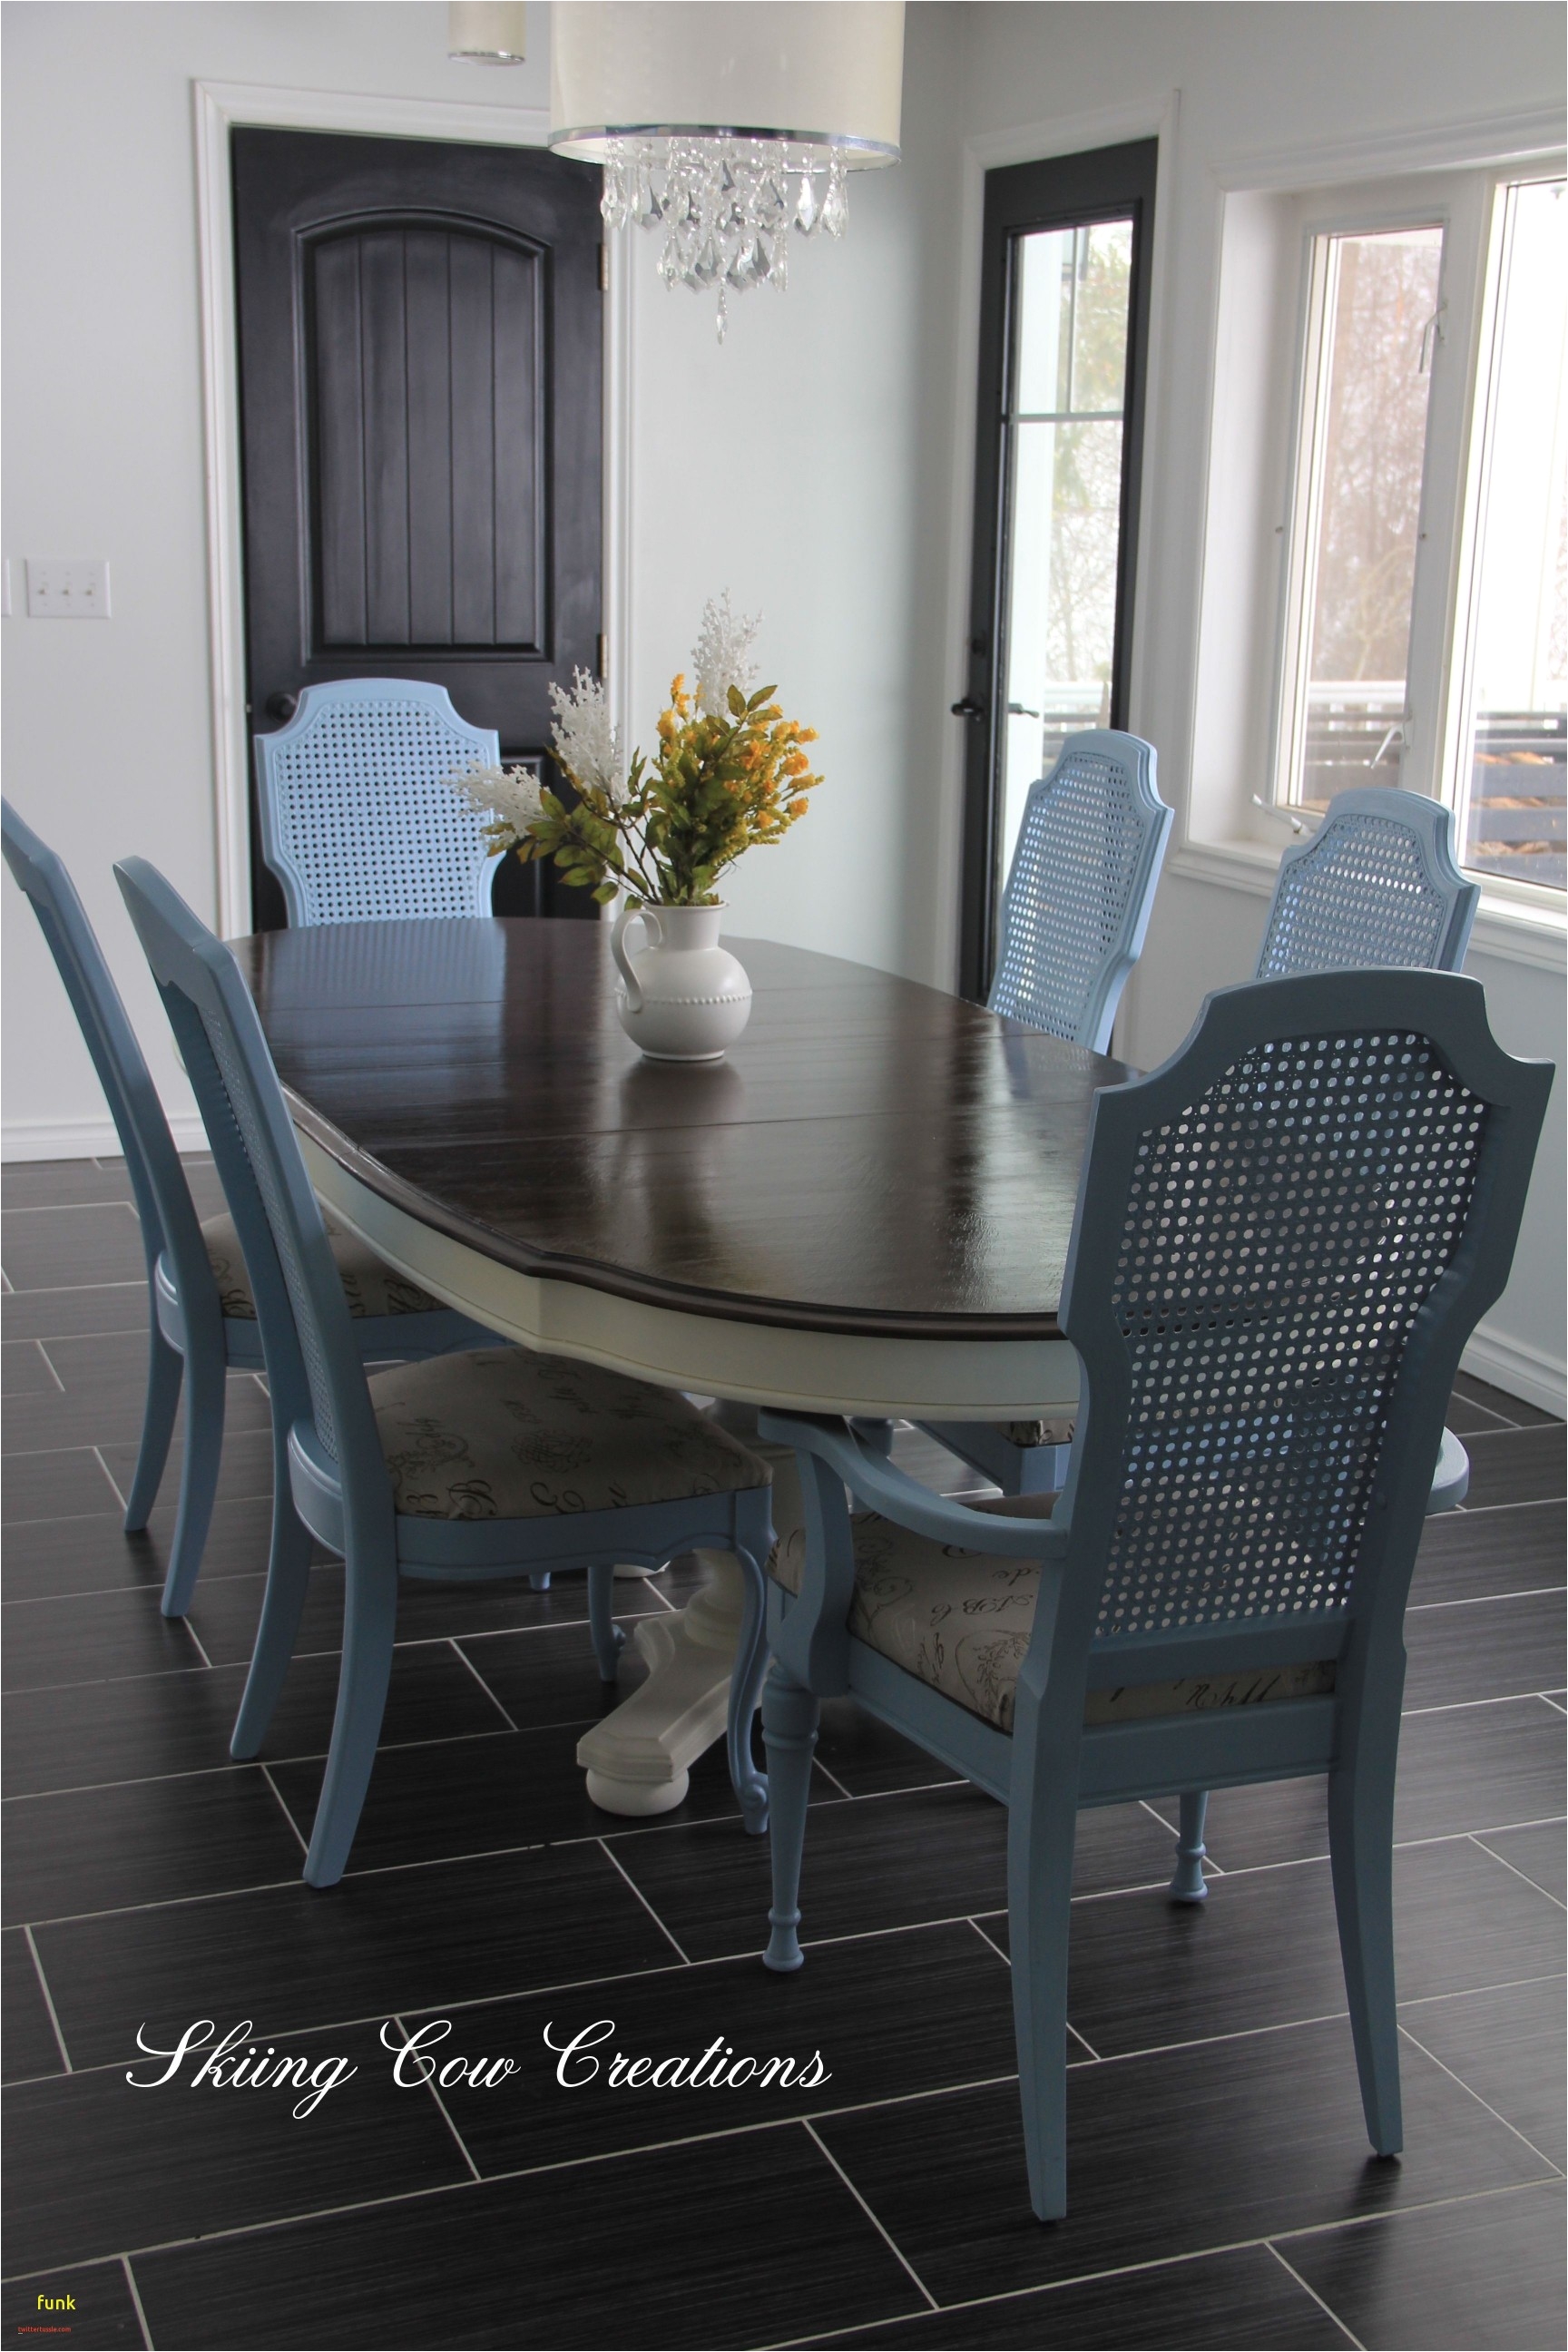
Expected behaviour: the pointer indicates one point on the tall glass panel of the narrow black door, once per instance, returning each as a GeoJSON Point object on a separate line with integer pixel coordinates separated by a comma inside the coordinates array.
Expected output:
{"type": "Point", "coordinates": [1064, 497]}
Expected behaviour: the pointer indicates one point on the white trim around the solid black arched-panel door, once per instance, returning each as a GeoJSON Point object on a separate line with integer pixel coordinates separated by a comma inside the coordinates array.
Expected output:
{"type": "Point", "coordinates": [217, 107]}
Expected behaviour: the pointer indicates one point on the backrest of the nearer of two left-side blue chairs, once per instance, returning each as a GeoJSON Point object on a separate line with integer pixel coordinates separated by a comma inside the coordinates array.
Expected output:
{"type": "Point", "coordinates": [311, 1356]}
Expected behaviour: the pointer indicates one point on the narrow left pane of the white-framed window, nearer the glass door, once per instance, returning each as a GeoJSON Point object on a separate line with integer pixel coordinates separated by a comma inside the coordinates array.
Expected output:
{"type": "Point", "coordinates": [1360, 509]}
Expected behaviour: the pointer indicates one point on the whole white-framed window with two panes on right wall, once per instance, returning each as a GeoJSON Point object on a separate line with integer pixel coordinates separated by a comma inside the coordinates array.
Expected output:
{"type": "Point", "coordinates": [1426, 573]}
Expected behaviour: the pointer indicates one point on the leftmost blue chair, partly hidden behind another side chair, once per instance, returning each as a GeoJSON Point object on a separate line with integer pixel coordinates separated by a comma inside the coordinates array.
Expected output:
{"type": "Point", "coordinates": [203, 1316]}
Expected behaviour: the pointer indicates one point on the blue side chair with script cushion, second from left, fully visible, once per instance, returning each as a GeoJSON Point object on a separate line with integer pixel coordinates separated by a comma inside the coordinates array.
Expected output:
{"type": "Point", "coordinates": [474, 1466]}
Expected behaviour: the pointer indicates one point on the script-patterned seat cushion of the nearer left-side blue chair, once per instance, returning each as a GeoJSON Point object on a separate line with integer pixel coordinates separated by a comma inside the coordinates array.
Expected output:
{"type": "Point", "coordinates": [502, 1434]}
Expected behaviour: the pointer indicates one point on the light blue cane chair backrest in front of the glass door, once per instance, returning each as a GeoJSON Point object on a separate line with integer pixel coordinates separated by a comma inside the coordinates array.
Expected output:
{"type": "Point", "coordinates": [1083, 886]}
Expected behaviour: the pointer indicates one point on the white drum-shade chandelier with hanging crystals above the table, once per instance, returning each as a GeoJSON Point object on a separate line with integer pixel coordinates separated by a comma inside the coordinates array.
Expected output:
{"type": "Point", "coordinates": [728, 126]}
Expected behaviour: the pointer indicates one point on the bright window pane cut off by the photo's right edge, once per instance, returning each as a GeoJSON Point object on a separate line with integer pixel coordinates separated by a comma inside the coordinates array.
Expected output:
{"type": "Point", "coordinates": [1517, 707]}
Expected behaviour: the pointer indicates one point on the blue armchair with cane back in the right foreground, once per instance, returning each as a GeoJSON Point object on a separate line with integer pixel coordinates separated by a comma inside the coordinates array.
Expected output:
{"type": "Point", "coordinates": [1282, 1245]}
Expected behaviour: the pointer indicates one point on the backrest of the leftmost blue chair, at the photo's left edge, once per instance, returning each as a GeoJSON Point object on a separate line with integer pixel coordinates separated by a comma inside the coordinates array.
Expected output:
{"type": "Point", "coordinates": [152, 1161]}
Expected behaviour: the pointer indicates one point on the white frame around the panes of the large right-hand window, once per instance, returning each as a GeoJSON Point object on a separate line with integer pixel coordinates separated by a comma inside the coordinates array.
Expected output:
{"type": "Point", "coordinates": [1468, 206]}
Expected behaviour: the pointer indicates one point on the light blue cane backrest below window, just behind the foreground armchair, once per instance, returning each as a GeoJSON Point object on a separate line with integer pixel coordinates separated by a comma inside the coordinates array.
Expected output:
{"type": "Point", "coordinates": [1376, 886]}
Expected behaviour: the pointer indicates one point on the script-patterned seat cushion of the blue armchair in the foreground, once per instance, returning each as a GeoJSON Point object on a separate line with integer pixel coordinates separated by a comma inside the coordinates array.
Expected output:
{"type": "Point", "coordinates": [963, 1622]}
